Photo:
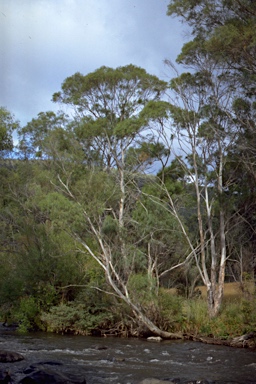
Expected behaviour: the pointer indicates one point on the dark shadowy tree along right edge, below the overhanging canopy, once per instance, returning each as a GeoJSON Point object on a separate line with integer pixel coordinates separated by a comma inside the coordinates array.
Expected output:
{"type": "Point", "coordinates": [242, 170]}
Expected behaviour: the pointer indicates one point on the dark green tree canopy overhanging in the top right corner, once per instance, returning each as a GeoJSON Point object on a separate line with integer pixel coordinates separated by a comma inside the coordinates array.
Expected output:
{"type": "Point", "coordinates": [222, 28]}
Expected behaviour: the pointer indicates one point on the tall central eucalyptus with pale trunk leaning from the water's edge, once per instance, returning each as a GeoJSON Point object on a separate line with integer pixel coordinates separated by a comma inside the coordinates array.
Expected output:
{"type": "Point", "coordinates": [111, 123]}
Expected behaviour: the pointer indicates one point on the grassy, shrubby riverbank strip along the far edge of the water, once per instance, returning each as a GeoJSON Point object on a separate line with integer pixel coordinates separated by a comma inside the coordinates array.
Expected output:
{"type": "Point", "coordinates": [182, 318]}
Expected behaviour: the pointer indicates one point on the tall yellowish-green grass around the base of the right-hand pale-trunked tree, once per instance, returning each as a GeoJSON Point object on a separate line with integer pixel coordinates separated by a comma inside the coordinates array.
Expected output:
{"type": "Point", "coordinates": [237, 315]}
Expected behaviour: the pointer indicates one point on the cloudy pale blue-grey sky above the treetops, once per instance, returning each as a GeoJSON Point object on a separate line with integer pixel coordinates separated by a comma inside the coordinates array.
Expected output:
{"type": "Point", "coordinates": [44, 41]}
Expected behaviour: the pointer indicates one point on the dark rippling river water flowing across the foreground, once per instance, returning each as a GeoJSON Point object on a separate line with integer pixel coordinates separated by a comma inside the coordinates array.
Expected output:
{"type": "Point", "coordinates": [127, 361]}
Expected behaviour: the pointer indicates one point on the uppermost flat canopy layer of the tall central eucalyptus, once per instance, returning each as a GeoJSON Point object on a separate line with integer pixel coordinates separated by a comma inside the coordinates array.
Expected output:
{"type": "Point", "coordinates": [77, 88]}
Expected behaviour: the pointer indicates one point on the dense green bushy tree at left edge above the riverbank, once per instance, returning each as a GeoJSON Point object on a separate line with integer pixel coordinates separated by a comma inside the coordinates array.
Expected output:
{"type": "Point", "coordinates": [40, 263]}
